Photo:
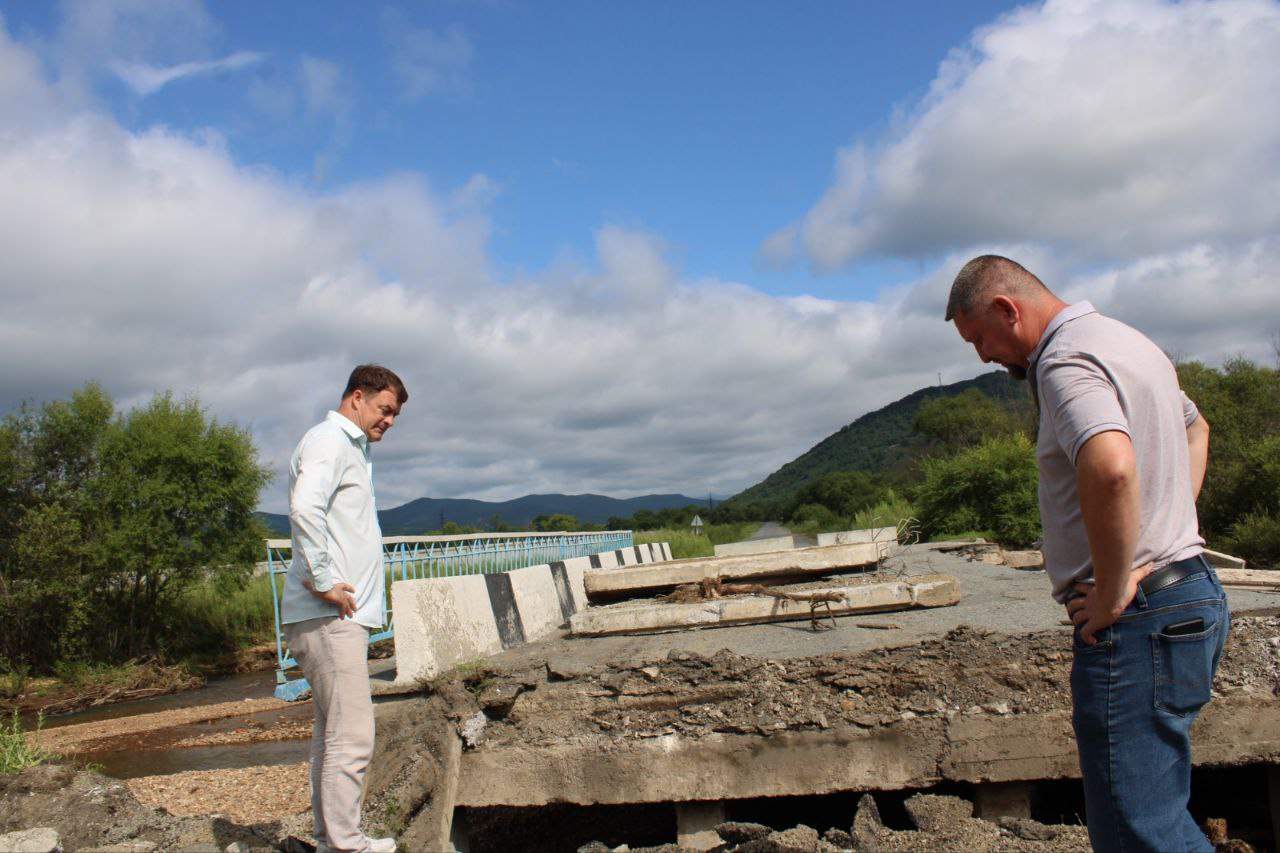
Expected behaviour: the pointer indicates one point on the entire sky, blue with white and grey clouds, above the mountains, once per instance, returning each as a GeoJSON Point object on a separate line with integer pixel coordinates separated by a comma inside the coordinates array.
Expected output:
{"type": "Point", "coordinates": [611, 248]}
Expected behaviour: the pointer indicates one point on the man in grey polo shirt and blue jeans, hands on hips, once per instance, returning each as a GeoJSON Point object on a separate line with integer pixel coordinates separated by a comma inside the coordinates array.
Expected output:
{"type": "Point", "coordinates": [1122, 455]}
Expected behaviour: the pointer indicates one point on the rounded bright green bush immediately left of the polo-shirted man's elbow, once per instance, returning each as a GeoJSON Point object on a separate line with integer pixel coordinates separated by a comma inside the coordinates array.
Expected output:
{"type": "Point", "coordinates": [989, 487]}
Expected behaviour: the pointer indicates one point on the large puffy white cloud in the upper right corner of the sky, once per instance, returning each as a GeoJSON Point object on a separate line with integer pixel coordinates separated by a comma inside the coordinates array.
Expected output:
{"type": "Point", "coordinates": [1107, 129]}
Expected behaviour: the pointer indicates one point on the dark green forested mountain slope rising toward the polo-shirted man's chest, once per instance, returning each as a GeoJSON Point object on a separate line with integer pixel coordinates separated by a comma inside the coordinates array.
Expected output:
{"type": "Point", "coordinates": [879, 443]}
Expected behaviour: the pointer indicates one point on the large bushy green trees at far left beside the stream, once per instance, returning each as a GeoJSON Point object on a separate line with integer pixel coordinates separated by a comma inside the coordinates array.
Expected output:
{"type": "Point", "coordinates": [111, 519]}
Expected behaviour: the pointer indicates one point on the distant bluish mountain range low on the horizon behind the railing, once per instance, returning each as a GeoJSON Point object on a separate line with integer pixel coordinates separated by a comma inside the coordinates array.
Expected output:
{"type": "Point", "coordinates": [427, 514]}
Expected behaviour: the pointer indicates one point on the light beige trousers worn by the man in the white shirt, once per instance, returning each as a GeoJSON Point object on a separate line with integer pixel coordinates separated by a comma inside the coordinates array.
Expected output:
{"type": "Point", "coordinates": [335, 656]}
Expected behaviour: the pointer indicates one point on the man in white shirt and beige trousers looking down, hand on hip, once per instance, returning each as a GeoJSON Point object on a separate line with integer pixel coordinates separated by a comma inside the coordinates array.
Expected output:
{"type": "Point", "coordinates": [335, 595]}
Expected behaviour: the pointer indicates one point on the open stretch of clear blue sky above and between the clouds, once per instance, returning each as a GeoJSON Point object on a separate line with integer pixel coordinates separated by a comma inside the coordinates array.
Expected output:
{"type": "Point", "coordinates": [706, 122]}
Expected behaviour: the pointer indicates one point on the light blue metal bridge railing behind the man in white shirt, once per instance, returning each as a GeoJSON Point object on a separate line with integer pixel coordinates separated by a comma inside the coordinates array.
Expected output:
{"type": "Point", "coordinates": [417, 558]}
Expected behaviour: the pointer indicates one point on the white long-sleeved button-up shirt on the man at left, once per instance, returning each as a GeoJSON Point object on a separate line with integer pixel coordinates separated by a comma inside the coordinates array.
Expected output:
{"type": "Point", "coordinates": [335, 524]}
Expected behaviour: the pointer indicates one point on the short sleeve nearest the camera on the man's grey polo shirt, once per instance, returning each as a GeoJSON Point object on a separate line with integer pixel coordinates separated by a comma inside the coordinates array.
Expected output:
{"type": "Point", "coordinates": [1081, 402]}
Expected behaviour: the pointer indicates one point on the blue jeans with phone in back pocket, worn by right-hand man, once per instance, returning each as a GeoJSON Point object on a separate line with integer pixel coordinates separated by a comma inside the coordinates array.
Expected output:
{"type": "Point", "coordinates": [1135, 697]}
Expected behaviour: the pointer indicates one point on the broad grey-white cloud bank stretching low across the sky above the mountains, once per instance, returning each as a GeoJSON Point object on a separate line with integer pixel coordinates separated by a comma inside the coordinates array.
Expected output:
{"type": "Point", "coordinates": [153, 261]}
